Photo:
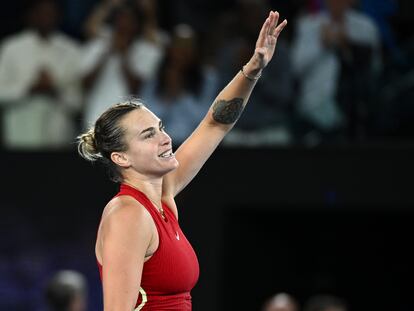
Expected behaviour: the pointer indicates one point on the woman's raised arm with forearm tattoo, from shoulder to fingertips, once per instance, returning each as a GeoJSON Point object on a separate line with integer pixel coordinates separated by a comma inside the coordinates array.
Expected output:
{"type": "Point", "coordinates": [224, 112]}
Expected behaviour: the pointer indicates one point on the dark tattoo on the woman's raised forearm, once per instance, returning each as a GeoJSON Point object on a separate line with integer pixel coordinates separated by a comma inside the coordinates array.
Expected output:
{"type": "Point", "coordinates": [227, 111]}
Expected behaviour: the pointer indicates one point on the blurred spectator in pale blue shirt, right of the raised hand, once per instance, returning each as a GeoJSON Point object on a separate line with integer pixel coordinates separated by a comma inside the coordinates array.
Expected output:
{"type": "Point", "coordinates": [334, 56]}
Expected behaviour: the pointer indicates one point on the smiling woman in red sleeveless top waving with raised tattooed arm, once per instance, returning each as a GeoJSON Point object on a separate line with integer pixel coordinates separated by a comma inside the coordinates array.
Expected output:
{"type": "Point", "coordinates": [145, 261]}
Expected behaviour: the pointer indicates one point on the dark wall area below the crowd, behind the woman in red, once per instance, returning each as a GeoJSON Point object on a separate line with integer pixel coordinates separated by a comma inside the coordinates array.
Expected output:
{"type": "Point", "coordinates": [332, 220]}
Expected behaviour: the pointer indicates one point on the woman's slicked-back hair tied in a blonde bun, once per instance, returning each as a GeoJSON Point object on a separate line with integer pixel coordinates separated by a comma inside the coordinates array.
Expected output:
{"type": "Point", "coordinates": [107, 136]}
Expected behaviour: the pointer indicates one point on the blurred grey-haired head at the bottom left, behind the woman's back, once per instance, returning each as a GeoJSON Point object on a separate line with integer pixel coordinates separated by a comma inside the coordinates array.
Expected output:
{"type": "Point", "coordinates": [66, 291]}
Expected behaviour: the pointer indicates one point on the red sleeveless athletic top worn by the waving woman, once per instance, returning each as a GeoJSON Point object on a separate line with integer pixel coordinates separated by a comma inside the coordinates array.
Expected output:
{"type": "Point", "coordinates": [172, 271]}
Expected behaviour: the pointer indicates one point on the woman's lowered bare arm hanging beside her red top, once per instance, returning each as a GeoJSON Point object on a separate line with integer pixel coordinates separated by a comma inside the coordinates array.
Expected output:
{"type": "Point", "coordinates": [125, 236]}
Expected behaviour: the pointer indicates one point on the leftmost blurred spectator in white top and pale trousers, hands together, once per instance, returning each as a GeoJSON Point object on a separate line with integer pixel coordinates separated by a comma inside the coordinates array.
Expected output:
{"type": "Point", "coordinates": [38, 83]}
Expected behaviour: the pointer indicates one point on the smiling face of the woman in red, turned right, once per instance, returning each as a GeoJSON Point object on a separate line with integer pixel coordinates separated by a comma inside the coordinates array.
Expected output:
{"type": "Point", "coordinates": [149, 151]}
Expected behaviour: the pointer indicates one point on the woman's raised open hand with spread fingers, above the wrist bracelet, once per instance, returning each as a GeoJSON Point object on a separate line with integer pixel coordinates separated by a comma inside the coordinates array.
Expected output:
{"type": "Point", "coordinates": [266, 42]}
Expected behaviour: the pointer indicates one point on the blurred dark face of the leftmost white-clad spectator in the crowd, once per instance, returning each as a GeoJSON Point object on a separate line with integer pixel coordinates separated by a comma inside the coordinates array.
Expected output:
{"type": "Point", "coordinates": [44, 16]}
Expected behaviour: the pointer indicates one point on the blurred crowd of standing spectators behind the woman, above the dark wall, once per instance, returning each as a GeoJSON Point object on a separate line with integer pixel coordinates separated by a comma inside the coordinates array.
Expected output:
{"type": "Point", "coordinates": [342, 72]}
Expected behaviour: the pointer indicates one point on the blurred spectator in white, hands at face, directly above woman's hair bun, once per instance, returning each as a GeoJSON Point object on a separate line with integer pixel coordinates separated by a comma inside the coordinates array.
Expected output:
{"type": "Point", "coordinates": [112, 64]}
